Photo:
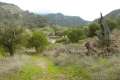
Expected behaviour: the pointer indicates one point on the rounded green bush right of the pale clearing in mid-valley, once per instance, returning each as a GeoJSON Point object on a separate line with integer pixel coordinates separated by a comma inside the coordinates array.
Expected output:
{"type": "Point", "coordinates": [75, 35]}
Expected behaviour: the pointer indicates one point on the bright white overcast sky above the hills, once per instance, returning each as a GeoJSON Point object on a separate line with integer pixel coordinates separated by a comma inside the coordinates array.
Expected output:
{"type": "Point", "coordinates": [86, 9]}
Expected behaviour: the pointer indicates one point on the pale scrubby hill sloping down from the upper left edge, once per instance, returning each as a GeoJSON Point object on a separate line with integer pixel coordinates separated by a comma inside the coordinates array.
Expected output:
{"type": "Point", "coordinates": [11, 13]}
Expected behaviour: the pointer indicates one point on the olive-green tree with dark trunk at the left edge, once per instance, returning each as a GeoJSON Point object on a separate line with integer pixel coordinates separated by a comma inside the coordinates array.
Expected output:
{"type": "Point", "coordinates": [10, 37]}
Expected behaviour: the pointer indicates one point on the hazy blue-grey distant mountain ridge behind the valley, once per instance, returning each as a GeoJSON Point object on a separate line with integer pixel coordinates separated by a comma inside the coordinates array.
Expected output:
{"type": "Point", "coordinates": [63, 20]}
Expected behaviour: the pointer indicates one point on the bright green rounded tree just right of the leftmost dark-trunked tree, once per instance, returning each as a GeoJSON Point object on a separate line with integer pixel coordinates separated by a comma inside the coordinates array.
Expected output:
{"type": "Point", "coordinates": [38, 41]}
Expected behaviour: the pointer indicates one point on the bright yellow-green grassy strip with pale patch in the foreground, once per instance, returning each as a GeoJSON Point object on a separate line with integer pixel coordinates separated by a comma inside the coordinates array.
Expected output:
{"type": "Point", "coordinates": [42, 68]}
